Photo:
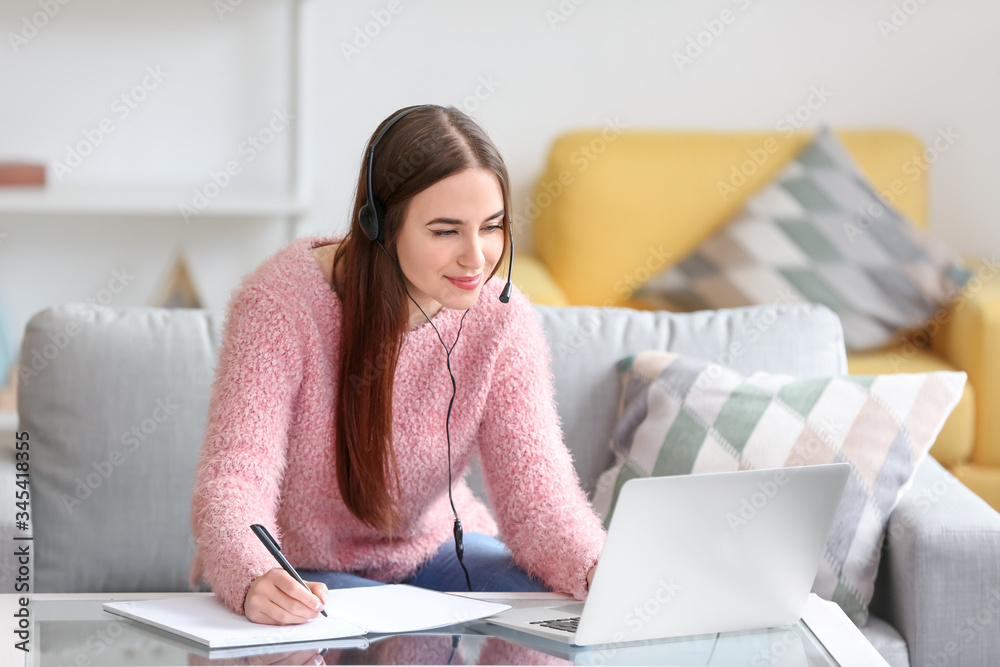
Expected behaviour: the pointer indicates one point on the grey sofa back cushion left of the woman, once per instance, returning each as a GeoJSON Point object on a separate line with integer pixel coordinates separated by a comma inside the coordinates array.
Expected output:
{"type": "Point", "coordinates": [115, 402]}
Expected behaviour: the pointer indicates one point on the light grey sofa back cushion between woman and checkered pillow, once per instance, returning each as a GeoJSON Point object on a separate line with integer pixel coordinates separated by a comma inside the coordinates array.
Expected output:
{"type": "Point", "coordinates": [586, 343]}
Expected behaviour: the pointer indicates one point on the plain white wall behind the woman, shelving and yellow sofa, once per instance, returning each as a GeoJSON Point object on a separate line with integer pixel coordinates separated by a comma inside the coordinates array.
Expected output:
{"type": "Point", "coordinates": [605, 60]}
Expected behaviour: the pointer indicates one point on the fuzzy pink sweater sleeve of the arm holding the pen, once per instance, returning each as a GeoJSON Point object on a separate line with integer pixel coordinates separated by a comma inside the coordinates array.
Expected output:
{"type": "Point", "coordinates": [242, 459]}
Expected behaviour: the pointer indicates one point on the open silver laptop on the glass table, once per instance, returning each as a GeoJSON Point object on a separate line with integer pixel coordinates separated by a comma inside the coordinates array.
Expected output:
{"type": "Point", "coordinates": [695, 554]}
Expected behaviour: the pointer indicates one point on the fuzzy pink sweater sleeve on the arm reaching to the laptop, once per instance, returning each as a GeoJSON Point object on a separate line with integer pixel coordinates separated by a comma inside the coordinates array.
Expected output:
{"type": "Point", "coordinates": [543, 514]}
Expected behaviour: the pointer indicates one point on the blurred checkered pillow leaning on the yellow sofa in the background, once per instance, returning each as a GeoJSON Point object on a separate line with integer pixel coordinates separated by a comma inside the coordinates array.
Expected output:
{"type": "Point", "coordinates": [818, 233]}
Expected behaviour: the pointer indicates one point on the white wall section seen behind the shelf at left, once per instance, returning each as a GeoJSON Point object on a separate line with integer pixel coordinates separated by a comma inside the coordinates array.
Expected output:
{"type": "Point", "coordinates": [217, 81]}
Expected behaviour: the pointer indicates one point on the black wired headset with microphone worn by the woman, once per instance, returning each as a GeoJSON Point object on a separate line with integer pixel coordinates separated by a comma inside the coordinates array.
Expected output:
{"type": "Point", "coordinates": [370, 219]}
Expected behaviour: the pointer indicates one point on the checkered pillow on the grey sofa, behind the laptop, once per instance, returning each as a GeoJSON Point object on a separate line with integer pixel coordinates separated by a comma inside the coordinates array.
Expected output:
{"type": "Point", "coordinates": [681, 415]}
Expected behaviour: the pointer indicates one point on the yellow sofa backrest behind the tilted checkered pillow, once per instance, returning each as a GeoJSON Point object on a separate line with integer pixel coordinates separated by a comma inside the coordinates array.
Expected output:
{"type": "Point", "coordinates": [661, 190]}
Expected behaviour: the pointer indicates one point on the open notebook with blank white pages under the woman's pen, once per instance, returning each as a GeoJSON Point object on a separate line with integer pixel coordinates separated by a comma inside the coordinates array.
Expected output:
{"type": "Point", "coordinates": [353, 612]}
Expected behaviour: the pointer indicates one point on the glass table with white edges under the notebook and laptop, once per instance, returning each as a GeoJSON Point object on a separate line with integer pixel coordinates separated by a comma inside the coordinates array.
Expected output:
{"type": "Point", "coordinates": [74, 631]}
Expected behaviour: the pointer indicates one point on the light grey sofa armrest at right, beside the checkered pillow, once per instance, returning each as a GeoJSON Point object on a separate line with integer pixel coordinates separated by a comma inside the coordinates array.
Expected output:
{"type": "Point", "coordinates": [939, 580]}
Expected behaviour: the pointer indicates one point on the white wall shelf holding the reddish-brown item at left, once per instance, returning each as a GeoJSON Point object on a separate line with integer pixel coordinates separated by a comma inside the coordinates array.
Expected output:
{"type": "Point", "coordinates": [145, 200]}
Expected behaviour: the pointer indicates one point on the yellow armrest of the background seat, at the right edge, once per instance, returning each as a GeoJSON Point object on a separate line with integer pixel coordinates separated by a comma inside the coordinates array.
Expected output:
{"type": "Point", "coordinates": [968, 336]}
